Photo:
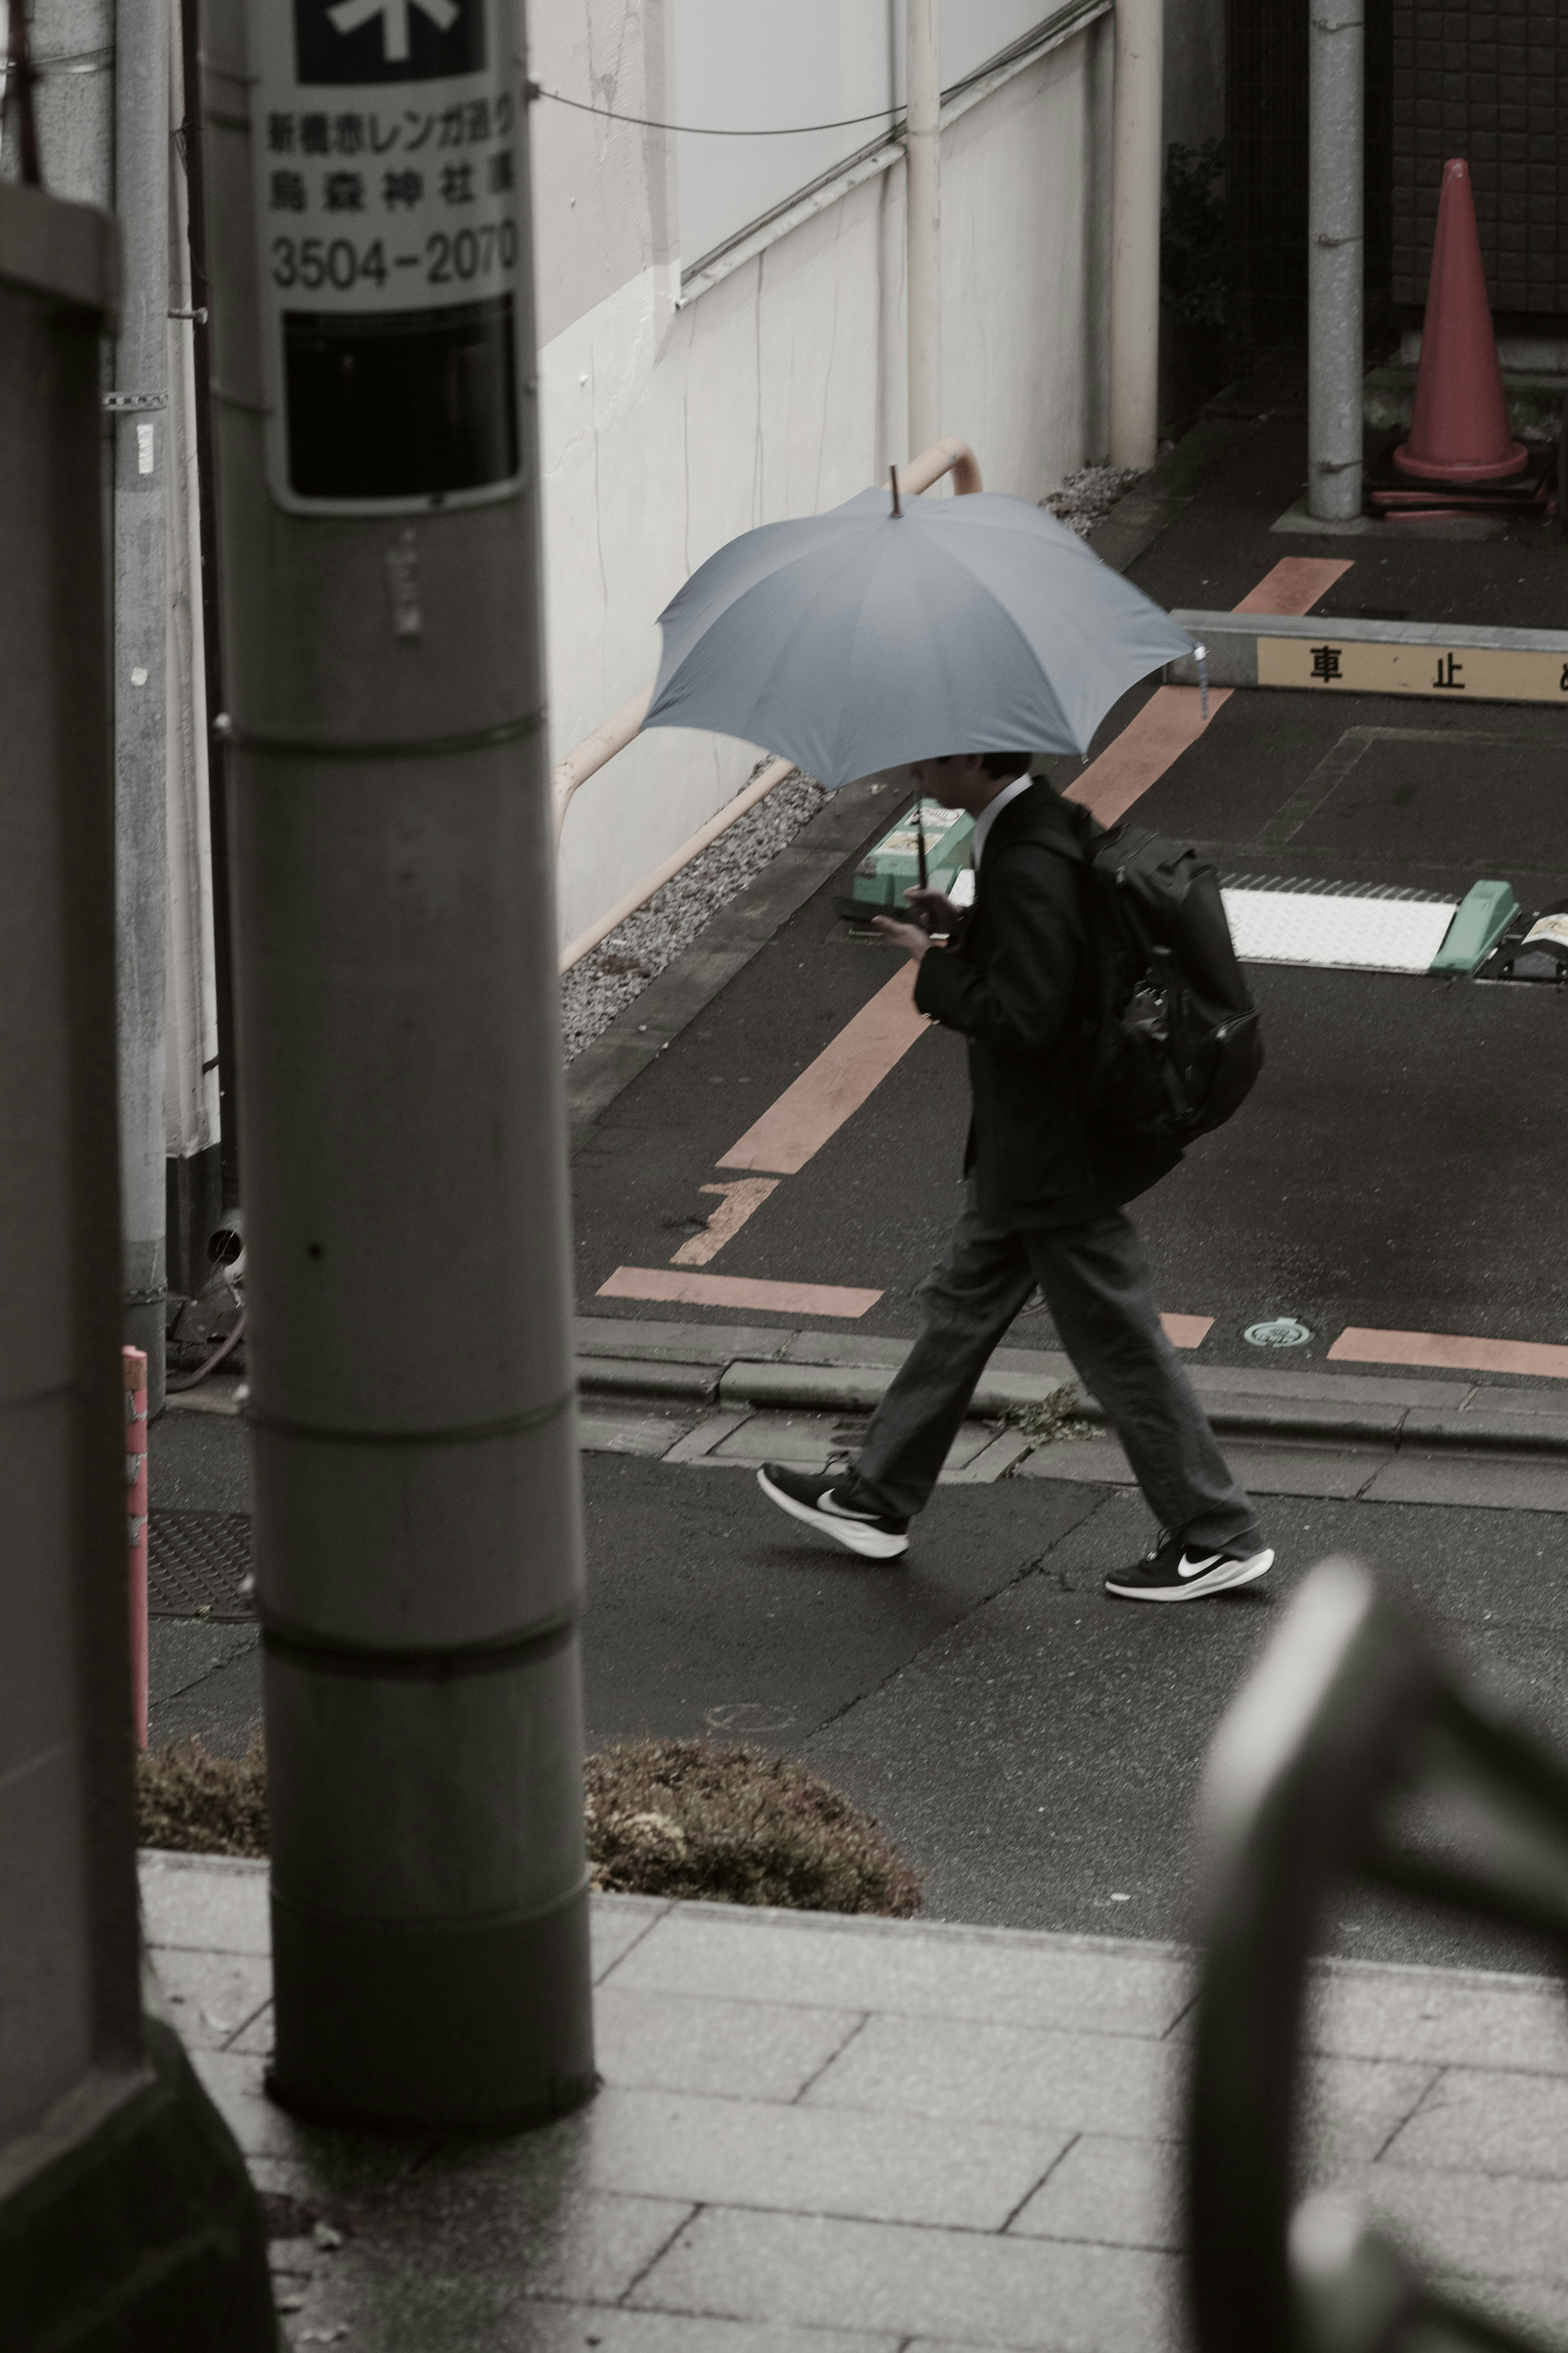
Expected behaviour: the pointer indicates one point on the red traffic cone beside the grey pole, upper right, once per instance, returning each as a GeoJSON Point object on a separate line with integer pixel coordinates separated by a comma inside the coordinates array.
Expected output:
{"type": "Point", "coordinates": [1461, 425]}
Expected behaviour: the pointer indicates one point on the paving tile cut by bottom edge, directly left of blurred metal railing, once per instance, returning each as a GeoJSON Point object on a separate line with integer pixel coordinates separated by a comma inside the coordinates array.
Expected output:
{"type": "Point", "coordinates": [819, 2272]}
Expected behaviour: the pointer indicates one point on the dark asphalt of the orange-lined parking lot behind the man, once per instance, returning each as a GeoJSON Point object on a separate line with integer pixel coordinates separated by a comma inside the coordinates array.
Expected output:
{"type": "Point", "coordinates": [1400, 1159]}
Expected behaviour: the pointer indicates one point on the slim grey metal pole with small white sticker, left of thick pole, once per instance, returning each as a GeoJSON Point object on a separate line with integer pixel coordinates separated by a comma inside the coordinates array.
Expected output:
{"type": "Point", "coordinates": [140, 413]}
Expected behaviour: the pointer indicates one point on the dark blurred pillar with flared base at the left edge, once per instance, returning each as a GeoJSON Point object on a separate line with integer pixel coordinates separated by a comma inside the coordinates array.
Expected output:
{"type": "Point", "coordinates": [126, 2215]}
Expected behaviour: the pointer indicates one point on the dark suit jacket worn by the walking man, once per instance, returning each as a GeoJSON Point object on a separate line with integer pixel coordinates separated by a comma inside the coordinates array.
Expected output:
{"type": "Point", "coordinates": [1012, 985]}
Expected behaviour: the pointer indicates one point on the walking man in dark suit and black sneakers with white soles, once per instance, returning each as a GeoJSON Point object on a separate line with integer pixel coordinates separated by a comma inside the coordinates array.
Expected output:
{"type": "Point", "coordinates": [1043, 1211]}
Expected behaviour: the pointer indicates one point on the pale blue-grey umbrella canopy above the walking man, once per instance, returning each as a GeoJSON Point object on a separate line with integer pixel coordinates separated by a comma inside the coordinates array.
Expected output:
{"type": "Point", "coordinates": [864, 639]}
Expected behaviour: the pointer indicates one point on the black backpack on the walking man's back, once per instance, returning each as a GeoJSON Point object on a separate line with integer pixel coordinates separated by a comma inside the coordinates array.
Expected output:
{"type": "Point", "coordinates": [1170, 1027]}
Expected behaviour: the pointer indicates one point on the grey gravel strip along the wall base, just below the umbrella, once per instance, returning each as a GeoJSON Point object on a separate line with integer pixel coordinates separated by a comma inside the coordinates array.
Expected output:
{"type": "Point", "coordinates": [636, 952]}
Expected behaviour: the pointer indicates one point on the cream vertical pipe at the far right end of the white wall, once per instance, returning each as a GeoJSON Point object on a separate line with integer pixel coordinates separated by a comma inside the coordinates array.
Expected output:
{"type": "Point", "coordinates": [1134, 267]}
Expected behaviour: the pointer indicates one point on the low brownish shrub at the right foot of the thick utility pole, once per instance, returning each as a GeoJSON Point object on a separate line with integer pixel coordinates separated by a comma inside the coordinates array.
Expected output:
{"type": "Point", "coordinates": [737, 1827]}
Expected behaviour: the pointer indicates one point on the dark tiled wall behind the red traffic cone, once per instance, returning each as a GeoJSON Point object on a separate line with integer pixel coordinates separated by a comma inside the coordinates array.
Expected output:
{"type": "Point", "coordinates": [1487, 84]}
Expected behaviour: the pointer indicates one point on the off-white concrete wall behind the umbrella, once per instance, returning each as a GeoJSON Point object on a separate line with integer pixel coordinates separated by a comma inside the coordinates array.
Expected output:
{"type": "Point", "coordinates": [777, 392]}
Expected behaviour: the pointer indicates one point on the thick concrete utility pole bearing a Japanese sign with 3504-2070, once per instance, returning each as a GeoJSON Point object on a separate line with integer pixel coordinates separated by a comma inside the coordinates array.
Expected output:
{"type": "Point", "coordinates": [401, 1126]}
